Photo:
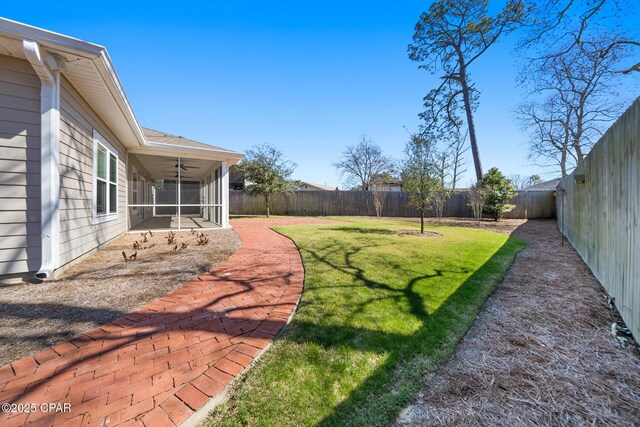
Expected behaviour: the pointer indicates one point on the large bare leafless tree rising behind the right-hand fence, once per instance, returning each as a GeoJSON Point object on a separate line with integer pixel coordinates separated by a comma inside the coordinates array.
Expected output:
{"type": "Point", "coordinates": [575, 67]}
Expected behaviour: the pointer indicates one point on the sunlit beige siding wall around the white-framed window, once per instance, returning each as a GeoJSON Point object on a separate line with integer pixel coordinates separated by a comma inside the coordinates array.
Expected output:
{"type": "Point", "coordinates": [78, 233]}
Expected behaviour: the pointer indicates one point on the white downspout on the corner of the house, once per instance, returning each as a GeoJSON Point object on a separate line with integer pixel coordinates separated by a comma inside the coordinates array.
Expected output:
{"type": "Point", "coordinates": [48, 69]}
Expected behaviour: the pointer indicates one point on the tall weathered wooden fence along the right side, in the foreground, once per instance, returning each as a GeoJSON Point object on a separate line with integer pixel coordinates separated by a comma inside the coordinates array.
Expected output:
{"type": "Point", "coordinates": [598, 213]}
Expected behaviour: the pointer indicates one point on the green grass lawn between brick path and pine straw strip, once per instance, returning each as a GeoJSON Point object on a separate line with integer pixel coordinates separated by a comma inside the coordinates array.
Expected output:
{"type": "Point", "coordinates": [378, 310]}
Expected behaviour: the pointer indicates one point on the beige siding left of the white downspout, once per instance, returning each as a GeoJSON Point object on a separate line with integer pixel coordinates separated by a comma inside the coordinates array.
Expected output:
{"type": "Point", "coordinates": [19, 167]}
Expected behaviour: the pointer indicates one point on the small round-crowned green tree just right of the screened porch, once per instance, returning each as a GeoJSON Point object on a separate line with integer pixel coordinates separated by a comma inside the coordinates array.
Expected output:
{"type": "Point", "coordinates": [266, 173]}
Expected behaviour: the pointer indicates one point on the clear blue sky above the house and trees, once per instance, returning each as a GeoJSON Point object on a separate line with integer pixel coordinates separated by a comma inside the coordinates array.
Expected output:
{"type": "Point", "coordinates": [307, 77]}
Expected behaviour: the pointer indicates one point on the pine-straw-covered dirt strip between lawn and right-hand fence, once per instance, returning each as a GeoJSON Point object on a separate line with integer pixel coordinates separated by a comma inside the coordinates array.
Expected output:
{"type": "Point", "coordinates": [540, 352]}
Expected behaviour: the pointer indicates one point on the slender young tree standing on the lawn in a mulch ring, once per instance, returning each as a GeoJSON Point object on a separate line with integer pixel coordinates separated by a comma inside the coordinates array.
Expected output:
{"type": "Point", "coordinates": [417, 175]}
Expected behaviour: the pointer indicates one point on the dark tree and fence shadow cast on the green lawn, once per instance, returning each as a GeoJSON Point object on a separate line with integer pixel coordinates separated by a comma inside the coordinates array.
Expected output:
{"type": "Point", "coordinates": [380, 397]}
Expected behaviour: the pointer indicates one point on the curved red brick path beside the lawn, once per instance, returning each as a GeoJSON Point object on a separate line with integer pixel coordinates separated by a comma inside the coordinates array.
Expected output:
{"type": "Point", "coordinates": [156, 366]}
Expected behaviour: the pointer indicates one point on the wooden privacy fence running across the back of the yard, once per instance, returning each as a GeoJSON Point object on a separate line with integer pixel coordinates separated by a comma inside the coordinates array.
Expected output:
{"type": "Point", "coordinates": [529, 204]}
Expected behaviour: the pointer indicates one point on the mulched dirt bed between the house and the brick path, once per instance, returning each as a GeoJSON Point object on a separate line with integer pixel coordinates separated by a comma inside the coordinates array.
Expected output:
{"type": "Point", "coordinates": [103, 288]}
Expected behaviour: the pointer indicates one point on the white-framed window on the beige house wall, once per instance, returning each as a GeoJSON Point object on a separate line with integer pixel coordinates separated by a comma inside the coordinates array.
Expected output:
{"type": "Point", "coordinates": [105, 171]}
